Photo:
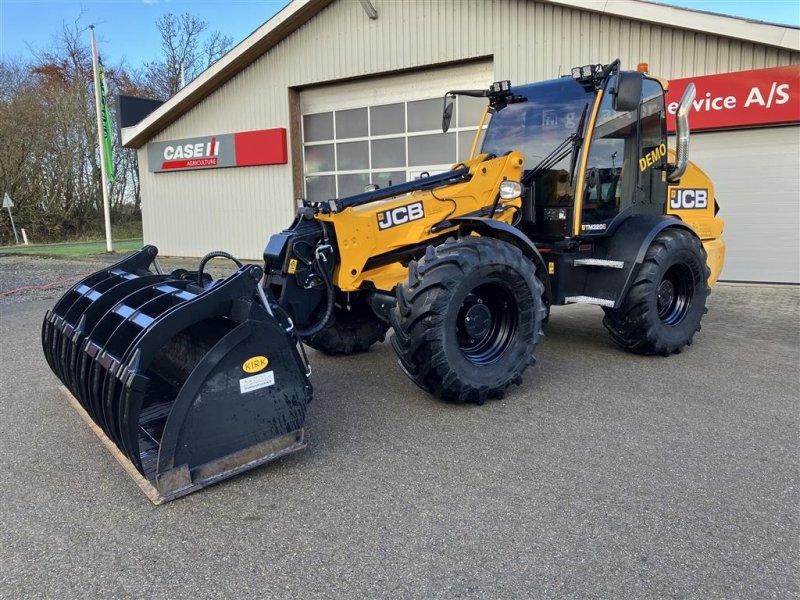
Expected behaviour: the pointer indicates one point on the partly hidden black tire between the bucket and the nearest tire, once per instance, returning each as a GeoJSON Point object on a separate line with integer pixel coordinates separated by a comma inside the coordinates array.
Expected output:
{"type": "Point", "coordinates": [349, 331]}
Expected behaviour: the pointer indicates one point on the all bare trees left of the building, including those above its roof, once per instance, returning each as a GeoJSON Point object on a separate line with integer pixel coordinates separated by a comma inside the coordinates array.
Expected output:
{"type": "Point", "coordinates": [50, 156]}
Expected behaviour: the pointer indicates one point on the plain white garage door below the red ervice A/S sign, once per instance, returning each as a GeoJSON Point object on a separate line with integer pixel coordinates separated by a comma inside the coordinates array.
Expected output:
{"type": "Point", "coordinates": [756, 175]}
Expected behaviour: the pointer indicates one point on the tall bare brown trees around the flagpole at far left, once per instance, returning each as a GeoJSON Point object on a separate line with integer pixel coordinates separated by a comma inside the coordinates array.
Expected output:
{"type": "Point", "coordinates": [50, 157]}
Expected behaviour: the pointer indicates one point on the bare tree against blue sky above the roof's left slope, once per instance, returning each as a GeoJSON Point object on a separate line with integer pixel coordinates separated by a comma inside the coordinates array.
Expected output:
{"type": "Point", "coordinates": [184, 44]}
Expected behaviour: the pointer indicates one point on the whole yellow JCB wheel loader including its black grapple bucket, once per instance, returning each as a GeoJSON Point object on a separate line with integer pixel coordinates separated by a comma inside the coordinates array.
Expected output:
{"type": "Point", "coordinates": [571, 196]}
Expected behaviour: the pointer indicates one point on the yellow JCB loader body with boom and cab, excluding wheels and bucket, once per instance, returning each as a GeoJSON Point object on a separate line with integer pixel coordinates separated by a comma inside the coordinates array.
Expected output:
{"type": "Point", "coordinates": [595, 196]}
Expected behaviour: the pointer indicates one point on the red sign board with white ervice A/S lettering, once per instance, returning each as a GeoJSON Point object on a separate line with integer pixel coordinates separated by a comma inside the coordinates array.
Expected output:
{"type": "Point", "coordinates": [741, 99]}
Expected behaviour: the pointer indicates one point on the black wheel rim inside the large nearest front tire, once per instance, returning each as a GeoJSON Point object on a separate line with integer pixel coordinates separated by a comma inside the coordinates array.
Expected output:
{"type": "Point", "coordinates": [486, 323]}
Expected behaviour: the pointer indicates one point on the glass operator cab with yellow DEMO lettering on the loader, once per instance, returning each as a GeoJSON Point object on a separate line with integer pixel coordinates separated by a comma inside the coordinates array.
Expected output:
{"type": "Point", "coordinates": [595, 151]}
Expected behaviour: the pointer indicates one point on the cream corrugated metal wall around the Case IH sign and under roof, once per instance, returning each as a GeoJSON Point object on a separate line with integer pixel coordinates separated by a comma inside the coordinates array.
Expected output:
{"type": "Point", "coordinates": [190, 213]}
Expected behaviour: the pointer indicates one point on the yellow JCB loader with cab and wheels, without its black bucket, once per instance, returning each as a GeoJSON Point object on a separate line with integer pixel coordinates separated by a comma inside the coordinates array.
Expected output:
{"type": "Point", "coordinates": [592, 215]}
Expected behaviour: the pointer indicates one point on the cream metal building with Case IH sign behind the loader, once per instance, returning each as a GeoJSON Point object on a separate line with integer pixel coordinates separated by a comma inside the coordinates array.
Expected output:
{"type": "Point", "coordinates": [358, 92]}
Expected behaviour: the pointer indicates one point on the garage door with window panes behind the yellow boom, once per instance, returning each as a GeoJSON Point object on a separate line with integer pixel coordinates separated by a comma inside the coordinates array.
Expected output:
{"type": "Point", "coordinates": [387, 130]}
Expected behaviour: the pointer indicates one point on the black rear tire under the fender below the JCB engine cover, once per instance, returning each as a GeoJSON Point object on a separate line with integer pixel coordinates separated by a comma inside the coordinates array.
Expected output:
{"type": "Point", "coordinates": [667, 299]}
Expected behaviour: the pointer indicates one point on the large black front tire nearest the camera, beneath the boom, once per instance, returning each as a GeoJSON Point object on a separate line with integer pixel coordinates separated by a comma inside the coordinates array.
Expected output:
{"type": "Point", "coordinates": [468, 319]}
